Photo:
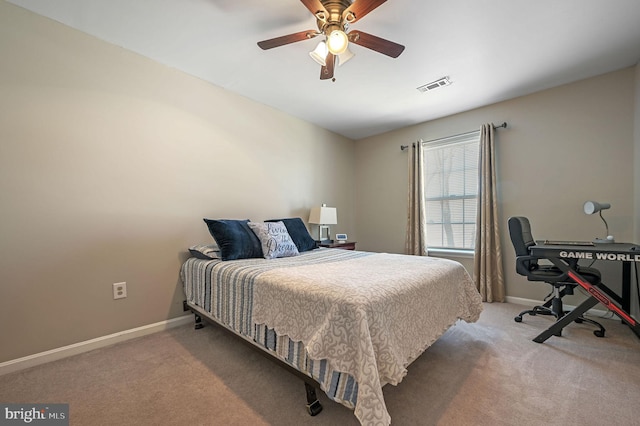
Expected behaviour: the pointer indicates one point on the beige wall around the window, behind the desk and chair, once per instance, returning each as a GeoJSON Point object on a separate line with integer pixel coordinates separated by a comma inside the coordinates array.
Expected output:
{"type": "Point", "coordinates": [563, 146]}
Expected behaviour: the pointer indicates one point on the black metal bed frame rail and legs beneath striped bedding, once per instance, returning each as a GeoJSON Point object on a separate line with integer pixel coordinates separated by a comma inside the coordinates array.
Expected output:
{"type": "Point", "coordinates": [313, 405]}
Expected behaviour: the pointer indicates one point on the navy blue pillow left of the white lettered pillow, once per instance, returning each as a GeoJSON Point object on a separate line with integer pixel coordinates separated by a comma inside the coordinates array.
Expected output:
{"type": "Point", "coordinates": [235, 239]}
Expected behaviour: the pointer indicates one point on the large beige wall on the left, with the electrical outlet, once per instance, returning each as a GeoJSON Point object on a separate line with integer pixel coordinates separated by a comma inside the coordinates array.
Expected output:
{"type": "Point", "coordinates": [109, 162]}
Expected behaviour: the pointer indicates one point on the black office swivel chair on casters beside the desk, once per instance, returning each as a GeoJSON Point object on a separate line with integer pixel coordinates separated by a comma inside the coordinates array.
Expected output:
{"type": "Point", "coordinates": [528, 266]}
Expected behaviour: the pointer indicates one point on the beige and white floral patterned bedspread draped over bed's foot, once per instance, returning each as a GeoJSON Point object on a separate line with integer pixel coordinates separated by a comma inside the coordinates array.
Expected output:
{"type": "Point", "coordinates": [368, 316]}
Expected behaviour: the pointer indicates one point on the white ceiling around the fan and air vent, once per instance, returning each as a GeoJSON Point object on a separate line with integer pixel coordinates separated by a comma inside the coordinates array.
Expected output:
{"type": "Point", "coordinates": [492, 50]}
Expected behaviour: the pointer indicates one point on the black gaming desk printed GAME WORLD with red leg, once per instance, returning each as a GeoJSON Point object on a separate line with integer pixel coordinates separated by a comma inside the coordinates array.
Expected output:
{"type": "Point", "coordinates": [562, 254]}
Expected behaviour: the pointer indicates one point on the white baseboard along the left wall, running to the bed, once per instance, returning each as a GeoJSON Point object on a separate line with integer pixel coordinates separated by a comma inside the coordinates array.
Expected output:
{"type": "Point", "coordinates": [88, 345]}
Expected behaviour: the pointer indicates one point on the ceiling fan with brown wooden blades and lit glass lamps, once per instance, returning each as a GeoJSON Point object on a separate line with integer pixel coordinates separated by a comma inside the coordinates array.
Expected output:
{"type": "Point", "coordinates": [333, 19]}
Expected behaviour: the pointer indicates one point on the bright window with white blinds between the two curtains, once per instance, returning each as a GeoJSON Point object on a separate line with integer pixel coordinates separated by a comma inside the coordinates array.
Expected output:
{"type": "Point", "coordinates": [451, 191]}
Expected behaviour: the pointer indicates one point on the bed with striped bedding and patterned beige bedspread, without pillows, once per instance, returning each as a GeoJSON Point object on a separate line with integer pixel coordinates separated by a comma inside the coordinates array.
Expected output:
{"type": "Point", "coordinates": [351, 321]}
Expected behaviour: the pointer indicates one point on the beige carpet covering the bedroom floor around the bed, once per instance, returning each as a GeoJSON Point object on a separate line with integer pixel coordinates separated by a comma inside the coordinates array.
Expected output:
{"type": "Point", "coordinates": [487, 373]}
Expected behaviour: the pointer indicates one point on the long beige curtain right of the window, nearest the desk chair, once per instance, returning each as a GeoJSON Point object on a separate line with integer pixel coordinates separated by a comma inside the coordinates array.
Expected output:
{"type": "Point", "coordinates": [487, 269]}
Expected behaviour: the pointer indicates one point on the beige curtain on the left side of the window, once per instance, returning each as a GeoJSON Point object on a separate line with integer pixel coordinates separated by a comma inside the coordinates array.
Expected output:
{"type": "Point", "coordinates": [416, 239]}
